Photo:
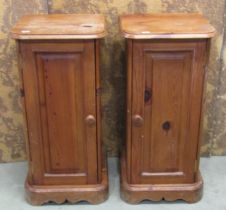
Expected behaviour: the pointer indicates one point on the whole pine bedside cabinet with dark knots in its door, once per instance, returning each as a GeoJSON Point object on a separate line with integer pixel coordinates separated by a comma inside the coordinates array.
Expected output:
{"type": "Point", "coordinates": [166, 60]}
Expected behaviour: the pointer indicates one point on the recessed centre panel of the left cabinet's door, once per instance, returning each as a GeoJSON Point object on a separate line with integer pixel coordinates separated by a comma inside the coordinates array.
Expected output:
{"type": "Point", "coordinates": [63, 113]}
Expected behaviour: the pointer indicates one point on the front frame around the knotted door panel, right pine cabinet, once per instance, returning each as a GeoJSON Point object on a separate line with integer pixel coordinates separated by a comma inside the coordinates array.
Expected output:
{"type": "Point", "coordinates": [133, 148]}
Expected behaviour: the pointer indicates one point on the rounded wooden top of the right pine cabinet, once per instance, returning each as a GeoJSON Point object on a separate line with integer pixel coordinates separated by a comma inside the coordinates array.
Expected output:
{"type": "Point", "coordinates": [166, 26]}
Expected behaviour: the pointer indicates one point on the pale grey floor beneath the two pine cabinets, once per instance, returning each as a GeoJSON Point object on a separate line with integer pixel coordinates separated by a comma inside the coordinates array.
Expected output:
{"type": "Point", "coordinates": [213, 169]}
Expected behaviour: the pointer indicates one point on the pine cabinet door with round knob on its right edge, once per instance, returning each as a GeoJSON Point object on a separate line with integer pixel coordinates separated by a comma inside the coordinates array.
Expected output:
{"type": "Point", "coordinates": [60, 103]}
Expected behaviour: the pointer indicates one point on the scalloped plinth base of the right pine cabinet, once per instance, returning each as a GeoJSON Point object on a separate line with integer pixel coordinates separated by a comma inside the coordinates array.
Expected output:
{"type": "Point", "coordinates": [135, 193]}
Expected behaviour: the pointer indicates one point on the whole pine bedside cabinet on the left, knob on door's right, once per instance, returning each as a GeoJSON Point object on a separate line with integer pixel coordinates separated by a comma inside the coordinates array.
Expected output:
{"type": "Point", "coordinates": [59, 66]}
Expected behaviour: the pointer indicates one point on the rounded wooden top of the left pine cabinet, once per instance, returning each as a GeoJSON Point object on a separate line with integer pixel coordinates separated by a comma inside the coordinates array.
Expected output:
{"type": "Point", "coordinates": [60, 26]}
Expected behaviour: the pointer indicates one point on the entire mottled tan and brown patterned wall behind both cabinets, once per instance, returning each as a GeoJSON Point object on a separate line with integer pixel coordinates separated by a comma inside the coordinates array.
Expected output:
{"type": "Point", "coordinates": [12, 146]}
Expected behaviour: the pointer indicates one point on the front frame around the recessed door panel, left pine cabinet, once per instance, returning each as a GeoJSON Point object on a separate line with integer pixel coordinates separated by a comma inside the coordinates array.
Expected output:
{"type": "Point", "coordinates": [27, 49]}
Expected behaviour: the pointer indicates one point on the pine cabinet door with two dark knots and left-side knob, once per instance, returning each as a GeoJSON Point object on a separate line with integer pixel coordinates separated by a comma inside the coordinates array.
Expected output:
{"type": "Point", "coordinates": [167, 86]}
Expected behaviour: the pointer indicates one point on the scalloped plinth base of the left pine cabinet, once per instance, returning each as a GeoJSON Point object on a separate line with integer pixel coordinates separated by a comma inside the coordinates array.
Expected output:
{"type": "Point", "coordinates": [94, 194]}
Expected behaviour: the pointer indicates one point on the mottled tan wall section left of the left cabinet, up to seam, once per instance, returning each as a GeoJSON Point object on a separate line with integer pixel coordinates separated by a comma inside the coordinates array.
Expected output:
{"type": "Point", "coordinates": [12, 146]}
